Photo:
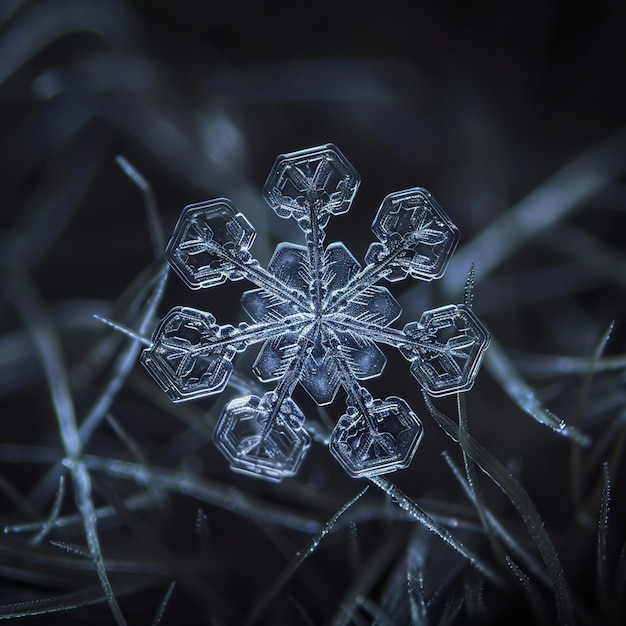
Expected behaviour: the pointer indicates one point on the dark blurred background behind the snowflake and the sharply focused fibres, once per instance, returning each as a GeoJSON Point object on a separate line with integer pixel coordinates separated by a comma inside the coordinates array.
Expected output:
{"type": "Point", "coordinates": [511, 114]}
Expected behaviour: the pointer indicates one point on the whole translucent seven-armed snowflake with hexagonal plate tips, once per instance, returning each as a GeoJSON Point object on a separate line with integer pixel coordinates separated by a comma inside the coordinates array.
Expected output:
{"type": "Point", "coordinates": [318, 315]}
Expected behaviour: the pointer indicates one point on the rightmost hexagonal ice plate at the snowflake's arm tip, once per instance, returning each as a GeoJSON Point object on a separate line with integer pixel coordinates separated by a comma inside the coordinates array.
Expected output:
{"type": "Point", "coordinates": [447, 349]}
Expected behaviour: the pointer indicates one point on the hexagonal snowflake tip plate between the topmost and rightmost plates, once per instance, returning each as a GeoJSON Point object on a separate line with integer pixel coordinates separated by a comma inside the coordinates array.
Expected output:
{"type": "Point", "coordinates": [413, 224]}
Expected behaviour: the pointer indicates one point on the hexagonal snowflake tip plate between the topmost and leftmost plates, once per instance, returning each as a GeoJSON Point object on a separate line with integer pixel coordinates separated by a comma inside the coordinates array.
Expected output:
{"type": "Point", "coordinates": [207, 237]}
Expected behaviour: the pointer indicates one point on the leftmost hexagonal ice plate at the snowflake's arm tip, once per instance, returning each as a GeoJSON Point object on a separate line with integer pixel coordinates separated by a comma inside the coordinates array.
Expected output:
{"type": "Point", "coordinates": [180, 358]}
